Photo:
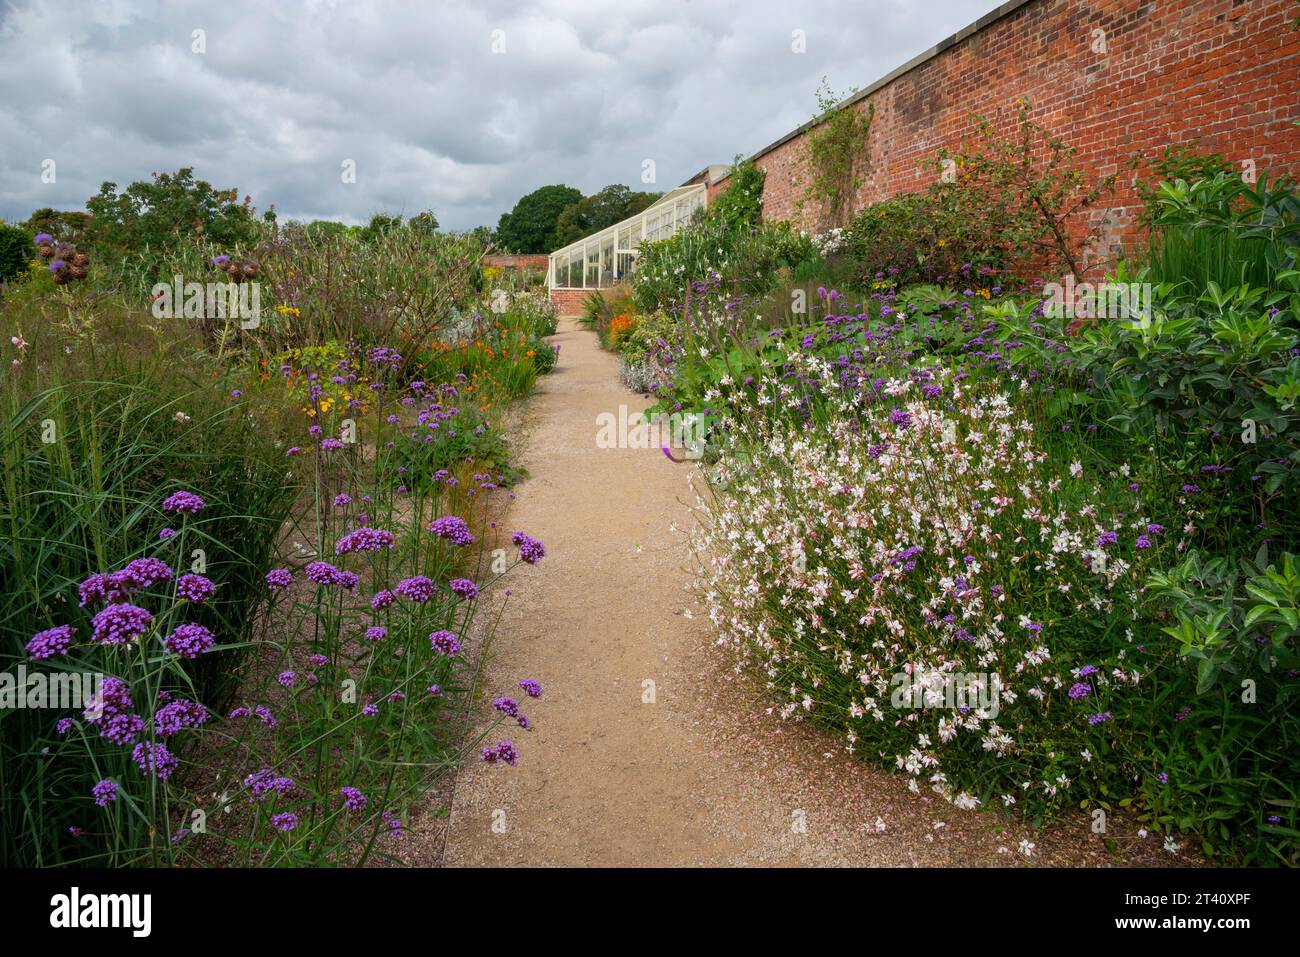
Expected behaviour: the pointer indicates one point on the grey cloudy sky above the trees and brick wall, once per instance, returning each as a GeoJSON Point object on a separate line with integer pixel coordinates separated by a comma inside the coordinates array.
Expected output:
{"type": "Point", "coordinates": [458, 106]}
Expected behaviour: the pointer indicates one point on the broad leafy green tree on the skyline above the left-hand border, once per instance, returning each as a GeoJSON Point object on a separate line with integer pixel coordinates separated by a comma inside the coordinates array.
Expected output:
{"type": "Point", "coordinates": [170, 209]}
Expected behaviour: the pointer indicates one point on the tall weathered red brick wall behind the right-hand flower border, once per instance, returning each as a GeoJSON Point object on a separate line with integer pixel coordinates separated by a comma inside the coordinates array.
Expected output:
{"type": "Point", "coordinates": [1221, 72]}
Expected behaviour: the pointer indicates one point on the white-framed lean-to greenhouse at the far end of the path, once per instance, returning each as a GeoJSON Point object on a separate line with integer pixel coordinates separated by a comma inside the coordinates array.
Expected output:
{"type": "Point", "coordinates": [603, 259]}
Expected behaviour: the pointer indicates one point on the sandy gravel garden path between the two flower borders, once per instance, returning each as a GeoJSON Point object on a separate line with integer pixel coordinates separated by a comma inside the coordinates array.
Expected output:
{"type": "Point", "coordinates": [703, 776]}
